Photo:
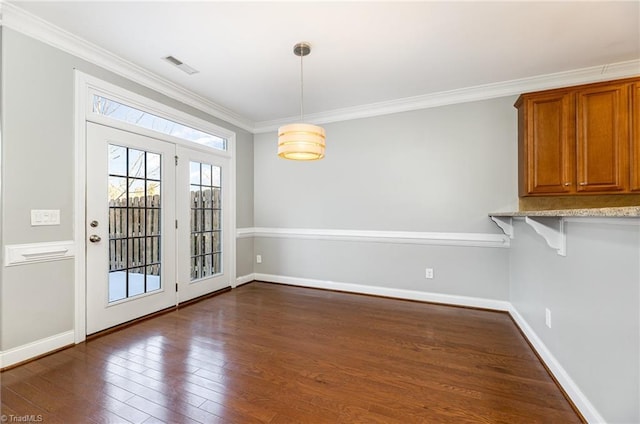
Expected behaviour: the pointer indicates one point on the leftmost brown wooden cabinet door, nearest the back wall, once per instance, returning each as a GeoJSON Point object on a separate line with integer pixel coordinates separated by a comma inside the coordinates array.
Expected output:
{"type": "Point", "coordinates": [547, 141]}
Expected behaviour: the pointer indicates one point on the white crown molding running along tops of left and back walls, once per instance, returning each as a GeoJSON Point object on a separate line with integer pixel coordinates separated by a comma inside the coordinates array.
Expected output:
{"type": "Point", "coordinates": [19, 20]}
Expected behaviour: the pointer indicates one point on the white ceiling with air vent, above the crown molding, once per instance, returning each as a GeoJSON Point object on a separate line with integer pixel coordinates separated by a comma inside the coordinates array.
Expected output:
{"type": "Point", "coordinates": [363, 53]}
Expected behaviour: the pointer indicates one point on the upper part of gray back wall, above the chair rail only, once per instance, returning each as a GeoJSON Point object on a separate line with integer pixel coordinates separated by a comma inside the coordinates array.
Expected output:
{"type": "Point", "coordinates": [440, 169]}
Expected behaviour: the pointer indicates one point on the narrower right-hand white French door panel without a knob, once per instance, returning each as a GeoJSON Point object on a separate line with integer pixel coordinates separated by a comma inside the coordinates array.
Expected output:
{"type": "Point", "coordinates": [202, 191]}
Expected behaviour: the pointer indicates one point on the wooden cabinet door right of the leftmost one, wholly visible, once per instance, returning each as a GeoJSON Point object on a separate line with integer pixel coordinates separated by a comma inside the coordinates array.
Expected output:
{"type": "Point", "coordinates": [602, 138]}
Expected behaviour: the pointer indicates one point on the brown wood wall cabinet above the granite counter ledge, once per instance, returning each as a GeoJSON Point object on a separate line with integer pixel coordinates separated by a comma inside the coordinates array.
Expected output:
{"type": "Point", "coordinates": [578, 140]}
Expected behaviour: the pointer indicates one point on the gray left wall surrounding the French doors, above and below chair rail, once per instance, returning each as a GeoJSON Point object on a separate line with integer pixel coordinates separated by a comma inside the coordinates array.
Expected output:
{"type": "Point", "coordinates": [37, 168]}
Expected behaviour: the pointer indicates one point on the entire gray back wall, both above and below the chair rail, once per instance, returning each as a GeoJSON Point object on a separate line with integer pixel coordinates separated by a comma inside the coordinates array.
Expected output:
{"type": "Point", "coordinates": [432, 170]}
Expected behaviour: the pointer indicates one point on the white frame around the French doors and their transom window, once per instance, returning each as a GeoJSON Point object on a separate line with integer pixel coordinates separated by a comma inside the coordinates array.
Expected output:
{"type": "Point", "coordinates": [85, 87]}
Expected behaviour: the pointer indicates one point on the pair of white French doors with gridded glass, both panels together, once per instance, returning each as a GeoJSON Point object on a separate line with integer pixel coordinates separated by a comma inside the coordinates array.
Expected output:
{"type": "Point", "coordinates": [157, 225]}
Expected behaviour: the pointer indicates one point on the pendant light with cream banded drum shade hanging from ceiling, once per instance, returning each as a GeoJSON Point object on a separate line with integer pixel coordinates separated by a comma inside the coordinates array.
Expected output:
{"type": "Point", "coordinates": [301, 141]}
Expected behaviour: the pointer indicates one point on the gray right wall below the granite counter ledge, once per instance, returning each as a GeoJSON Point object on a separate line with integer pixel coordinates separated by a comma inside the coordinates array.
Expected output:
{"type": "Point", "coordinates": [594, 297]}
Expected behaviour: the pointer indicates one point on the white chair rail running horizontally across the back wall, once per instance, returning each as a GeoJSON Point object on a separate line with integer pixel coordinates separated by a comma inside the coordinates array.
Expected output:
{"type": "Point", "coordinates": [398, 237]}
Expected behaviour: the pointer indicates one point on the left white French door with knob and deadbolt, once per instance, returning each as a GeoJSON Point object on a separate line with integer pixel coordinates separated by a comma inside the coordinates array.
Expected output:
{"type": "Point", "coordinates": [131, 258]}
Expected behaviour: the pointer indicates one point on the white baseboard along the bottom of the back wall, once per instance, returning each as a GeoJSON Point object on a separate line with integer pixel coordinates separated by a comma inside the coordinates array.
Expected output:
{"type": "Point", "coordinates": [476, 302]}
